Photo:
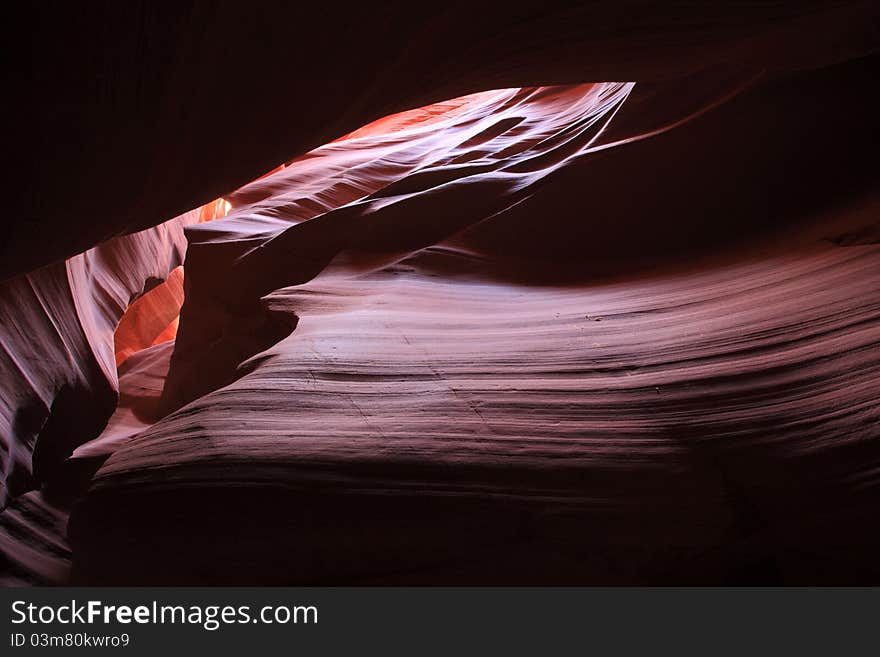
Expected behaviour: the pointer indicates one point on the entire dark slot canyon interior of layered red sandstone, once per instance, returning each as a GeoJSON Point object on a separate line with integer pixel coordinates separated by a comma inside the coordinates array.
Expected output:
{"type": "Point", "coordinates": [442, 293]}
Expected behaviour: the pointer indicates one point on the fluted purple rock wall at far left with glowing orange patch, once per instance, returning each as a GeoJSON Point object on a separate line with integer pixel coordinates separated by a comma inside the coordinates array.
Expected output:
{"type": "Point", "coordinates": [60, 348]}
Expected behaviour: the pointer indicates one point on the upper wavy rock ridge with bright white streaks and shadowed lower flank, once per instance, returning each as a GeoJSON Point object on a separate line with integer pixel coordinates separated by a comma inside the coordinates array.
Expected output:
{"type": "Point", "coordinates": [386, 191]}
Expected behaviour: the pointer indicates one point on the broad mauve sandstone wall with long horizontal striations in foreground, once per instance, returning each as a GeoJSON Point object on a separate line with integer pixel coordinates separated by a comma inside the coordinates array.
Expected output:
{"type": "Point", "coordinates": [434, 422]}
